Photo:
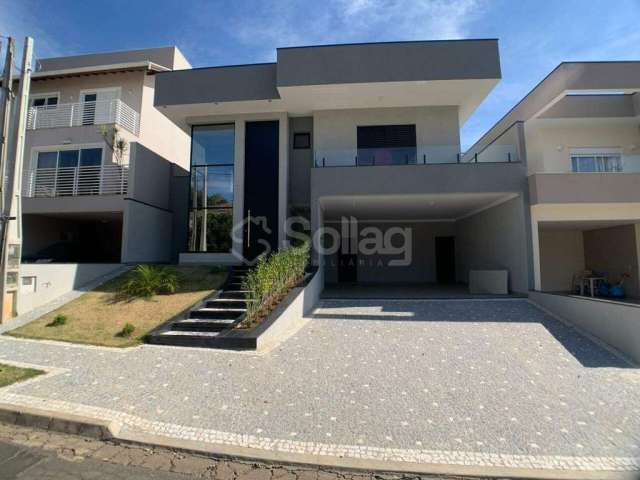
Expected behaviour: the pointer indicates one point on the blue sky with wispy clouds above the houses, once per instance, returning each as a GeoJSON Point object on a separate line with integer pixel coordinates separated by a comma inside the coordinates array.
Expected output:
{"type": "Point", "coordinates": [535, 35]}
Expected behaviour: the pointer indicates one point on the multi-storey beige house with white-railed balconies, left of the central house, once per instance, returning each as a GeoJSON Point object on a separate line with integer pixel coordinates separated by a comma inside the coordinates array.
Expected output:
{"type": "Point", "coordinates": [85, 199]}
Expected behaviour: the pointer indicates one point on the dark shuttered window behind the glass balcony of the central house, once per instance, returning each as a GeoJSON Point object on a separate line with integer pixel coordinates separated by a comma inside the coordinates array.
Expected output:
{"type": "Point", "coordinates": [387, 145]}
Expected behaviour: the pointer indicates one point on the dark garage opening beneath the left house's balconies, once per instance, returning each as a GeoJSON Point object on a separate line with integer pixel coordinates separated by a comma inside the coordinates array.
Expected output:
{"type": "Point", "coordinates": [72, 238]}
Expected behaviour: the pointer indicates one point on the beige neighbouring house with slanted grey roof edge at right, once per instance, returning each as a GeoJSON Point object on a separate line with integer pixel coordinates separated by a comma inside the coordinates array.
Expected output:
{"type": "Point", "coordinates": [582, 136]}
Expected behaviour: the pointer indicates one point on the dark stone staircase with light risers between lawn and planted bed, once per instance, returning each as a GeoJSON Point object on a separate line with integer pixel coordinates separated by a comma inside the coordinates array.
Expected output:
{"type": "Point", "coordinates": [208, 323]}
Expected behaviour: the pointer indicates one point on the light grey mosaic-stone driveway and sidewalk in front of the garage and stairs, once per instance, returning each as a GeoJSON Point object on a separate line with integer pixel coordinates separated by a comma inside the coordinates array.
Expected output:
{"type": "Point", "coordinates": [458, 382]}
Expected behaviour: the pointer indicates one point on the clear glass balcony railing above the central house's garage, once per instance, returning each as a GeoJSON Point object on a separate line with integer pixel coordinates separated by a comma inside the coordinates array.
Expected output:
{"type": "Point", "coordinates": [419, 155]}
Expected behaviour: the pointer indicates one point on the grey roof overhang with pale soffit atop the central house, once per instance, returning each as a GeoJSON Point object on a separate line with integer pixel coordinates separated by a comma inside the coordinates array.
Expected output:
{"type": "Point", "coordinates": [307, 79]}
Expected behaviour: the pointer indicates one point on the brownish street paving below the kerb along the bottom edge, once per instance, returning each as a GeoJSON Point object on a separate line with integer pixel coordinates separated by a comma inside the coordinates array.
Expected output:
{"type": "Point", "coordinates": [31, 454]}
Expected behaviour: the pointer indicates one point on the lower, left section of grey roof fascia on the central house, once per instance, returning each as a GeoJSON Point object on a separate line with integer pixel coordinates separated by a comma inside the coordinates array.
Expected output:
{"type": "Point", "coordinates": [217, 84]}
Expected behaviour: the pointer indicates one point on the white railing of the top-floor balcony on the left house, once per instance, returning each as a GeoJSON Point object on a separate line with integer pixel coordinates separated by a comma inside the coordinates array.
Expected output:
{"type": "Point", "coordinates": [100, 112]}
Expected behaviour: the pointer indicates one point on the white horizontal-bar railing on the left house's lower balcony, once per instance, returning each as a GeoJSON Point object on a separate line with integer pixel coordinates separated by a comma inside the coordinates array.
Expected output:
{"type": "Point", "coordinates": [76, 181]}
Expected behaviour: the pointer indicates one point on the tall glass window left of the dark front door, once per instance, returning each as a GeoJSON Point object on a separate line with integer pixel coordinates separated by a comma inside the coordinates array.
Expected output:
{"type": "Point", "coordinates": [211, 199]}
